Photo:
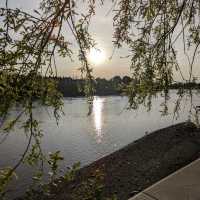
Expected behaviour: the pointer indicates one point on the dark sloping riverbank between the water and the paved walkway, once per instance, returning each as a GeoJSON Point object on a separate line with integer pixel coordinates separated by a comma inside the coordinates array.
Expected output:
{"type": "Point", "coordinates": [138, 165]}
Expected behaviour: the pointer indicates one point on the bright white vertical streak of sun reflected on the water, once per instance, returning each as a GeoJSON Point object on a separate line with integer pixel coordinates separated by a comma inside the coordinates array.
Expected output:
{"type": "Point", "coordinates": [98, 115]}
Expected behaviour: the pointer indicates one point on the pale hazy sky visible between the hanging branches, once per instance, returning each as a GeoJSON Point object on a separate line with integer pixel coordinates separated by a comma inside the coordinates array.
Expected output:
{"type": "Point", "coordinates": [101, 29]}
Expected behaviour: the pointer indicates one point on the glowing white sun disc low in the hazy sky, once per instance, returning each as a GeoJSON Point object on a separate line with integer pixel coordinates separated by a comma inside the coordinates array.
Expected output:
{"type": "Point", "coordinates": [96, 56]}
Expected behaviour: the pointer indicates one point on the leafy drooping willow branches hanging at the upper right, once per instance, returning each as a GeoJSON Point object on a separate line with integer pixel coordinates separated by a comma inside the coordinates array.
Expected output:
{"type": "Point", "coordinates": [153, 31]}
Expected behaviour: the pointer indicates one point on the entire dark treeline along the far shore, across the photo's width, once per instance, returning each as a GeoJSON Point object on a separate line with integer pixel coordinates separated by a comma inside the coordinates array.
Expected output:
{"type": "Point", "coordinates": [70, 87]}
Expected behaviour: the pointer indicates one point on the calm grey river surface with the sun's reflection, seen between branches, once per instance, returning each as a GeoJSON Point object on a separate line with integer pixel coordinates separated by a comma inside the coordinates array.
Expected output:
{"type": "Point", "coordinates": [85, 138]}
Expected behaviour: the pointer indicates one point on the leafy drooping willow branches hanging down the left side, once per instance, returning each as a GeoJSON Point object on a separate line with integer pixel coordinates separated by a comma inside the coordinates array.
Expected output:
{"type": "Point", "coordinates": [29, 45]}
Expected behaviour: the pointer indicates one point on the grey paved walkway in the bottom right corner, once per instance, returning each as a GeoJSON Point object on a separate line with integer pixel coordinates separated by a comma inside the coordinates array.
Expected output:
{"type": "Point", "coordinates": [184, 184]}
